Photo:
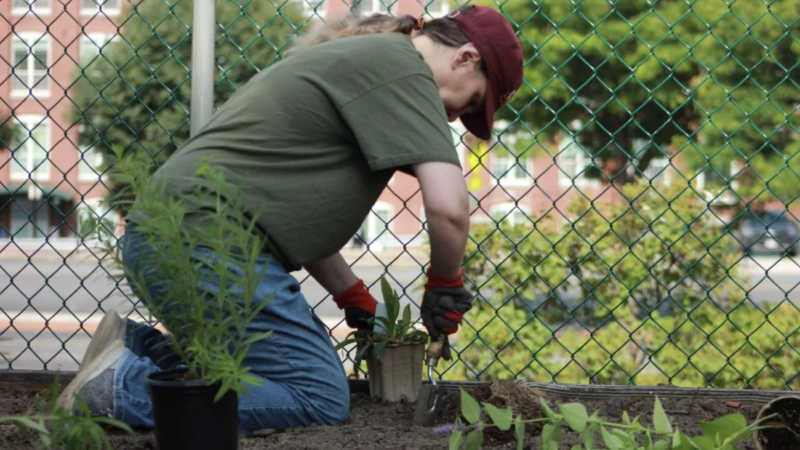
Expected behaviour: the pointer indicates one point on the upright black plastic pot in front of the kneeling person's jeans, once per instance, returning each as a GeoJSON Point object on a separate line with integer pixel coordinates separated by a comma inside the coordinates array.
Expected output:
{"type": "Point", "coordinates": [186, 416]}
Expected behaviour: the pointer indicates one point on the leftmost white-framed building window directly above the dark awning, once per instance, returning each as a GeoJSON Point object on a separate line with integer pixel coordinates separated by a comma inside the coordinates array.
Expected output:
{"type": "Point", "coordinates": [30, 154]}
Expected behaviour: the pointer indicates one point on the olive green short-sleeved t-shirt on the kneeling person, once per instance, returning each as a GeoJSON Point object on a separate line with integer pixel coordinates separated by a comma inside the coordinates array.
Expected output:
{"type": "Point", "coordinates": [316, 137]}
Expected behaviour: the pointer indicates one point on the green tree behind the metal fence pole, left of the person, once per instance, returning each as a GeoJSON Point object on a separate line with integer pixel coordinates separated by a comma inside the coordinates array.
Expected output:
{"type": "Point", "coordinates": [137, 92]}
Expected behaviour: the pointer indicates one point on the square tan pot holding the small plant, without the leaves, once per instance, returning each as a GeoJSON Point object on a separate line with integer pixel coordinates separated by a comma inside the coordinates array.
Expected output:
{"type": "Point", "coordinates": [397, 376]}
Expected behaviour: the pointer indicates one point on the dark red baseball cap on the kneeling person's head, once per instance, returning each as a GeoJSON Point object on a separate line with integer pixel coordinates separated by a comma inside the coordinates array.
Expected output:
{"type": "Point", "coordinates": [499, 47]}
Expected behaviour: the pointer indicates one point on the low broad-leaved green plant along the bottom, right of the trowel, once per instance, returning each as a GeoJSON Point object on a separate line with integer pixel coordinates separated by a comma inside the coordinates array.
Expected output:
{"type": "Point", "coordinates": [720, 434]}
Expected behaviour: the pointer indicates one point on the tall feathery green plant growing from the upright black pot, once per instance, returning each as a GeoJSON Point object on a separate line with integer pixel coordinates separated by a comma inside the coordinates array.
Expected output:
{"type": "Point", "coordinates": [208, 323]}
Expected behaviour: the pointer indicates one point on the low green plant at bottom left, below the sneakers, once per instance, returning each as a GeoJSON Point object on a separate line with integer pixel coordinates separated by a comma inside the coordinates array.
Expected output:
{"type": "Point", "coordinates": [58, 428]}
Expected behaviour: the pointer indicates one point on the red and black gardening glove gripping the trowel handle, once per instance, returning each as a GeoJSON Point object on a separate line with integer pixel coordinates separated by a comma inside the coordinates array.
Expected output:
{"type": "Point", "coordinates": [443, 307]}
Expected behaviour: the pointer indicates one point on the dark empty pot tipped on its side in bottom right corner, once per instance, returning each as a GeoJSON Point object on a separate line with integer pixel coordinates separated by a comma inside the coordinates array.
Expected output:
{"type": "Point", "coordinates": [784, 433]}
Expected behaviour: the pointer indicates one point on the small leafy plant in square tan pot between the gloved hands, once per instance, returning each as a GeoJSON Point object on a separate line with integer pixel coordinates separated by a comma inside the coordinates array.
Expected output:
{"type": "Point", "coordinates": [393, 349]}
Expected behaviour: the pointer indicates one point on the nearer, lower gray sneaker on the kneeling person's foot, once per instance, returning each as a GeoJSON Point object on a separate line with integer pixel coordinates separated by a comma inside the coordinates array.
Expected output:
{"type": "Point", "coordinates": [94, 382]}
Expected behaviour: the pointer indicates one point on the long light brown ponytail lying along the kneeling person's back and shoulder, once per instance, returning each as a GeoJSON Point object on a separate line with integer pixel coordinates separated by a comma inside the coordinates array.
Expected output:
{"type": "Point", "coordinates": [443, 31]}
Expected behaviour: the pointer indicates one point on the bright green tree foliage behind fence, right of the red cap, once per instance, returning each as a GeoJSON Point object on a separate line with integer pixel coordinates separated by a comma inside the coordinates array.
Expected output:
{"type": "Point", "coordinates": [630, 78]}
